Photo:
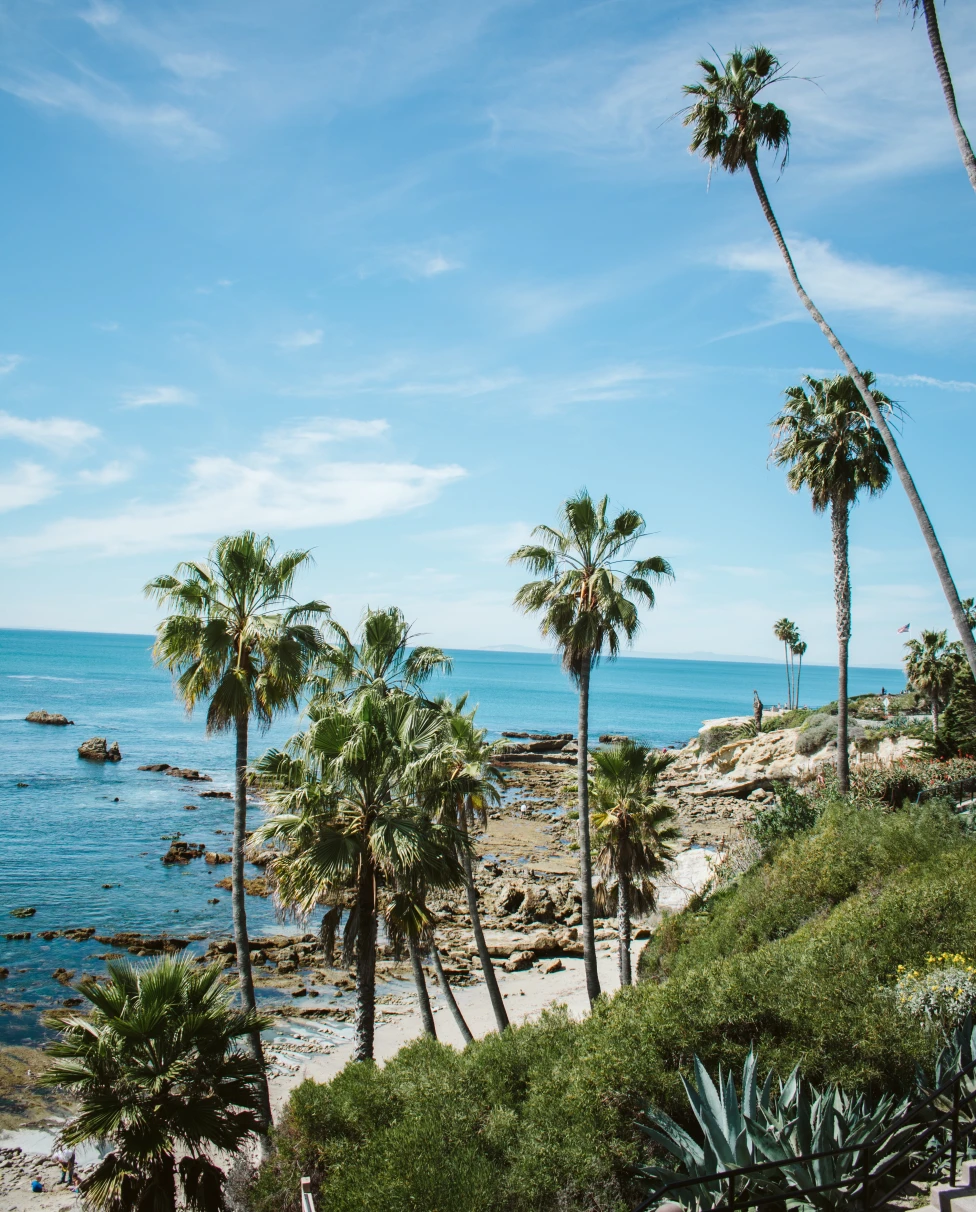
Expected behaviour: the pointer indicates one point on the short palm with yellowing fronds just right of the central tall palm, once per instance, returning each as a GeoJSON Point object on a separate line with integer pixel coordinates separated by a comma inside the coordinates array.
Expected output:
{"type": "Point", "coordinates": [635, 832]}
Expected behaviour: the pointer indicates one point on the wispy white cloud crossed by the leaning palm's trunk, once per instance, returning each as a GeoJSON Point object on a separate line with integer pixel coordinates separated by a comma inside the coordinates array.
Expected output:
{"type": "Point", "coordinates": [835, 283]}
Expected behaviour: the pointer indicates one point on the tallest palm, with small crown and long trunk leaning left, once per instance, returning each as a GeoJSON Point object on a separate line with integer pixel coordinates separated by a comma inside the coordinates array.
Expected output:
{"type": "Point", "coordinates": [730, 125]}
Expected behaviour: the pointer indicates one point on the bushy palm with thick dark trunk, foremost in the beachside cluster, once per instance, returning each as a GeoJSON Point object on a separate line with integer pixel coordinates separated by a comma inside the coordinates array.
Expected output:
{"type": "Point", "coordinates": [345, 799]}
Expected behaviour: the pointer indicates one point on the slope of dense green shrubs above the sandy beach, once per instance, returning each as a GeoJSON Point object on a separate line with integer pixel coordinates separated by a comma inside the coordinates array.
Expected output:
{"type": "Point", "coordinates": [795, 959]}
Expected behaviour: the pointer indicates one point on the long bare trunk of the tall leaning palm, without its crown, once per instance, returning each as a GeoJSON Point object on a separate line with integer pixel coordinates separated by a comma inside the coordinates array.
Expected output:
{"type": "Point", "coordinates": [898, 462]}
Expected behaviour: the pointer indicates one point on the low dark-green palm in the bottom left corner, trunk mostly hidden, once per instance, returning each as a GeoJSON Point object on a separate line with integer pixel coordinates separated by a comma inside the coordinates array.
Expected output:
{"type": "Point", "coordinates": [157, 1068]}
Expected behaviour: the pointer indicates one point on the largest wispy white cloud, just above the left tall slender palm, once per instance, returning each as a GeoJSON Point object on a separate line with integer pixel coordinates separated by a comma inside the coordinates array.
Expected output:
{"type": "Point", "coordinates": [276, 489]}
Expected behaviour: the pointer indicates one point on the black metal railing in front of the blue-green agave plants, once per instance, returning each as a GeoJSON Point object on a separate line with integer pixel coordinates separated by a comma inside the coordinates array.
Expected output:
{"type": "Point", "coordinates": [924, 1145]}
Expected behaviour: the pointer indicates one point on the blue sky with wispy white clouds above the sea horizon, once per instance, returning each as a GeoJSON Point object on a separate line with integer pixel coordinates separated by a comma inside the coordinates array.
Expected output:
{"type": "Point", "coordinates": [391, 281]}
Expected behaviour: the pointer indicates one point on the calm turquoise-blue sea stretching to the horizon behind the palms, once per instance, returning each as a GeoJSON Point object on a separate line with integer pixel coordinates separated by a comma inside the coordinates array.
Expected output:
{"type": "Point", "coordinates": [75, 827]}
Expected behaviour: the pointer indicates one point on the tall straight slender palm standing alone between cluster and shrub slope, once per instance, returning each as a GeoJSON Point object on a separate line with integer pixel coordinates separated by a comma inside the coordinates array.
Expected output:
{"type": "Point", "coordinates": [586, 596]}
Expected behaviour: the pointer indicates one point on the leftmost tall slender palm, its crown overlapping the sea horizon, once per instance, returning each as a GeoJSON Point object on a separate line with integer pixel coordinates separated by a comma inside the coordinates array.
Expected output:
{"type": "Point", "coordinates": [241, 641]}
